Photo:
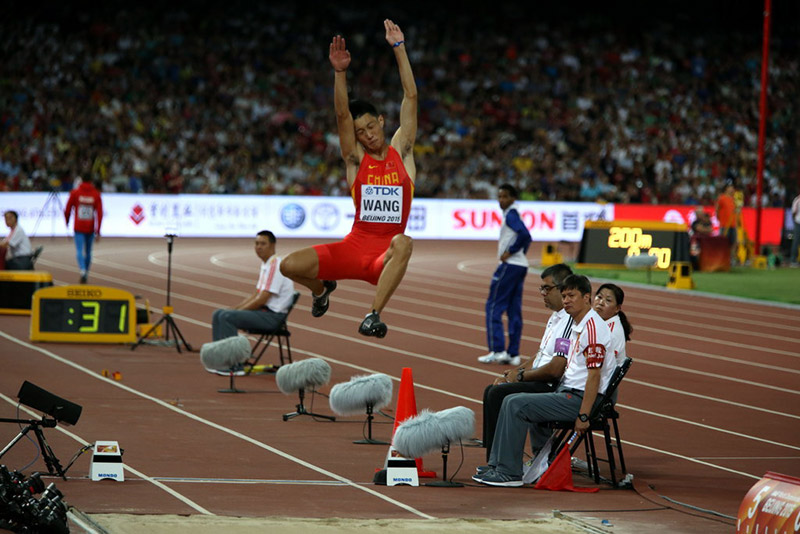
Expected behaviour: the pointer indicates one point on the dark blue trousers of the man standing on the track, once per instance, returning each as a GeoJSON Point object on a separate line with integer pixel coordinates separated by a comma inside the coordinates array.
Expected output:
{"type": "Point", "coordinates": [505, 296]}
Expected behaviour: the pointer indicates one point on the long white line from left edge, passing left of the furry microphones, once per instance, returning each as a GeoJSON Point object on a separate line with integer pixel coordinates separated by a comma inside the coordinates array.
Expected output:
{"type": "Point", "coordinates": [219, 427]}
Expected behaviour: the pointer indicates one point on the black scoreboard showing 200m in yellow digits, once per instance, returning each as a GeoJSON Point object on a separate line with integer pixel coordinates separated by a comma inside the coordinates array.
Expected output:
{"type": "Point", "coordinates": [605, 244]}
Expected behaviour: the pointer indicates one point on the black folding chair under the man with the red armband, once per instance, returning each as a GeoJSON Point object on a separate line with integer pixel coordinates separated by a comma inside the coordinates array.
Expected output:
{"type": "Point", "coordinates": [603, 416]}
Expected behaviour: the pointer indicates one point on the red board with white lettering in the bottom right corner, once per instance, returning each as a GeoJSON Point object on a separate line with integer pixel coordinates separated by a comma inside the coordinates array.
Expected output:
{"type": "Point", "coordinates": [771, 506]}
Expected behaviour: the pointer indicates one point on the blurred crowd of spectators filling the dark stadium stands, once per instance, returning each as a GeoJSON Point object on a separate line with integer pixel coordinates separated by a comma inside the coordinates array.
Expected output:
{"type": "Point", "coordinates": [237, 98]}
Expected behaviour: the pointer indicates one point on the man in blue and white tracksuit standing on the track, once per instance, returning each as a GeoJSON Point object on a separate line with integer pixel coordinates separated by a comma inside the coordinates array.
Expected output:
{"type": "Point", "coordinates": [505, 291]}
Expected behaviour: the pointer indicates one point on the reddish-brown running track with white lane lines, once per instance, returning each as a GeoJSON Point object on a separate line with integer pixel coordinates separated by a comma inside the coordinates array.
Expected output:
{"type": "Point", "coordinates": [710, 404]}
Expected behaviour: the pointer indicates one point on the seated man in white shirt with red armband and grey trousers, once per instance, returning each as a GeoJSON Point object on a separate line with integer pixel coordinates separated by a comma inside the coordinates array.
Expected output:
{"type": "Point", "coordinates": [585, 380]}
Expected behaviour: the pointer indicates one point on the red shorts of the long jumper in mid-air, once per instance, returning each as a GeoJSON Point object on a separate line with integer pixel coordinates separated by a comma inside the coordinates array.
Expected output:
{"type": "Point", "coordinates": [356, 257]}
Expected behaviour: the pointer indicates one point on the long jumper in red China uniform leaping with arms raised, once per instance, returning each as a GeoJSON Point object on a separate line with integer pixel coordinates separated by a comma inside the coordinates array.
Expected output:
{"type": "Point", "coordinates": [380, 176]}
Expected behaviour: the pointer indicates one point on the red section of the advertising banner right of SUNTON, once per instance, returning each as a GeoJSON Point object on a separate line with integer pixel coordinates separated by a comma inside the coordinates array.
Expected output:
{"type": "Point", "coordinates": [771, 218]}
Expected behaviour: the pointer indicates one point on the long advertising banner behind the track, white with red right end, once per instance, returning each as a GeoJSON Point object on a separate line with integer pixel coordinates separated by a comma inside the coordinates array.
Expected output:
{"type": "Point", "coordinates": [140, 215]}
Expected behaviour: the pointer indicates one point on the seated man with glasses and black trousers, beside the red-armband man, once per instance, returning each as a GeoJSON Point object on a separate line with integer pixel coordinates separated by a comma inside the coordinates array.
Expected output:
{"type": "Point", "coordinates": [542, 373]}
